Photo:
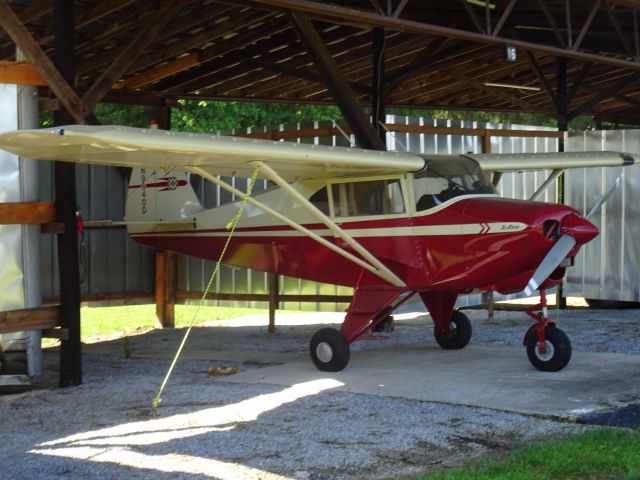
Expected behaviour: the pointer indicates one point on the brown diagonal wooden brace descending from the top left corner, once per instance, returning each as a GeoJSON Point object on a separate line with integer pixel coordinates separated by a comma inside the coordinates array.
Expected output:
{"type": "Point", "coordinates": [25, 42]}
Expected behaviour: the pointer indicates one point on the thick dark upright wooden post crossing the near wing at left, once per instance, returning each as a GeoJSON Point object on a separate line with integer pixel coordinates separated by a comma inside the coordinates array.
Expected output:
{"type": "Point", "coordinates": [65, 193]}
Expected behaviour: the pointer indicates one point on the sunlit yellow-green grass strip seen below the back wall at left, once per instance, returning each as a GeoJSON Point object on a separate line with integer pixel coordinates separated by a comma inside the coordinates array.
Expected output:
{"type": "Point", "coordinates": [112, 322]}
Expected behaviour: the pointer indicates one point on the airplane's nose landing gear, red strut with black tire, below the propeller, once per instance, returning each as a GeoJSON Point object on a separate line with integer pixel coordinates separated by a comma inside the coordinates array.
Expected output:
{"type": "Point", "coordinates": [548, 347]}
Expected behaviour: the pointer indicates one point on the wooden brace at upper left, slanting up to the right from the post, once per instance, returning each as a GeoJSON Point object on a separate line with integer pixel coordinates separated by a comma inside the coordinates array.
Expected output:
{"type": "Point", "coordinates": [129, 53]}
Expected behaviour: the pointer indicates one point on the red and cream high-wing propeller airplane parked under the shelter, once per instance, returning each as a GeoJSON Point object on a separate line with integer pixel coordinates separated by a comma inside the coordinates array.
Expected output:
{"type": "Point", "coordinates": [388, 224]}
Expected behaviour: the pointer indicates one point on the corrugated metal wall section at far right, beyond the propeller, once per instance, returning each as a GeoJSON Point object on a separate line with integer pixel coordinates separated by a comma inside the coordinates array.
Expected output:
{"type": "Point", "coordinates": [607, 267]}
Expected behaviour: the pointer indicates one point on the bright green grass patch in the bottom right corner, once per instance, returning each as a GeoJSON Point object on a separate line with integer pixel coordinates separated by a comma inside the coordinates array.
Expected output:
{"type": "Point", "coordinates": [604, 454]}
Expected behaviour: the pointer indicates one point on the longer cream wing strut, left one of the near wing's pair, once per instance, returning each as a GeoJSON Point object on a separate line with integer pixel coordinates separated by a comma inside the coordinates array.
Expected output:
{"type": "Point", "coordinates": [384, 273]}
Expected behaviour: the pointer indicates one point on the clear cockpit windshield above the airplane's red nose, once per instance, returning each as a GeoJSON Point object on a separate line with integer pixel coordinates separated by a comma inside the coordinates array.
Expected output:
{"type": "Point", "coordinates": [446, 177]}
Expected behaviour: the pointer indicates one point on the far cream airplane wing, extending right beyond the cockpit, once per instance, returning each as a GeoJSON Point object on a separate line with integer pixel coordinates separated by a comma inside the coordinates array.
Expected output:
{"type": "Point", "coordinates": [518, 162]}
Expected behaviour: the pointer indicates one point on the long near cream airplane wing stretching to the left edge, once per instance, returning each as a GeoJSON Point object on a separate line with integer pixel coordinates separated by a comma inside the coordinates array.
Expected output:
{"type": "Point", "coordinates": [220, 155]}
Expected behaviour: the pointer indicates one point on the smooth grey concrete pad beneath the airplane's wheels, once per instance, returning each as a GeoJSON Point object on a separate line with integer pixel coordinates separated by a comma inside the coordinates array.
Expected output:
{"type": "Point", "coordinates": [493, 377]}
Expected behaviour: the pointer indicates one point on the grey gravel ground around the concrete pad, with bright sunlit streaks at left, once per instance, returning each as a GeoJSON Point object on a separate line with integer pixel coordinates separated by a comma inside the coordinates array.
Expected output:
{"type": "Point", "coordinates": [209, 428]}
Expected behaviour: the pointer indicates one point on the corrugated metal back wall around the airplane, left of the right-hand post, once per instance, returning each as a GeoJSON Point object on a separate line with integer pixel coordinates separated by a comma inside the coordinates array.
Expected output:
{"type": "Point", "coordinates": [114, 263]}
